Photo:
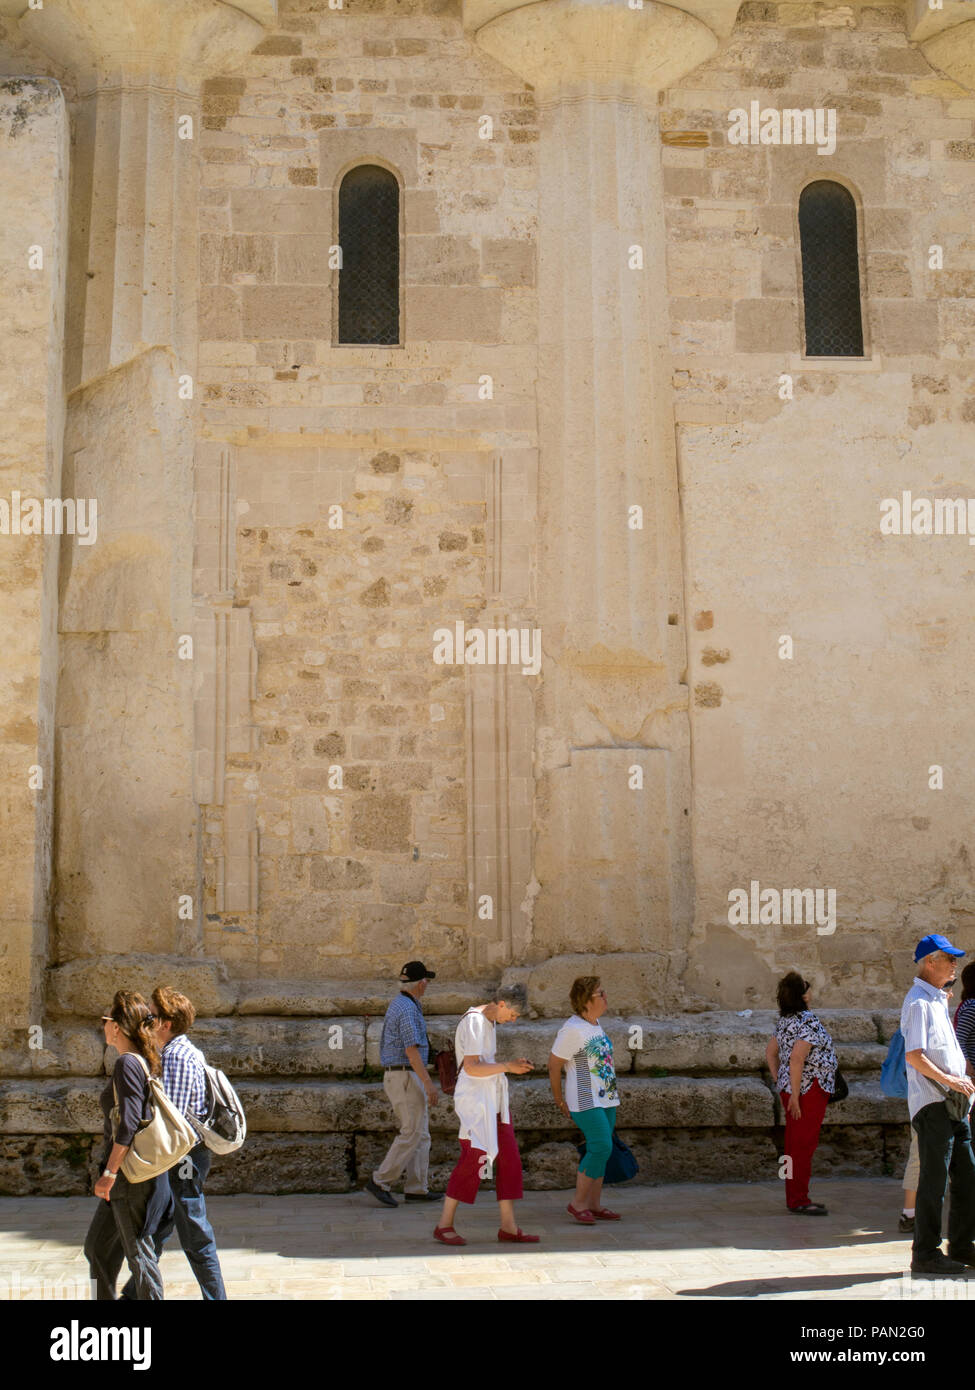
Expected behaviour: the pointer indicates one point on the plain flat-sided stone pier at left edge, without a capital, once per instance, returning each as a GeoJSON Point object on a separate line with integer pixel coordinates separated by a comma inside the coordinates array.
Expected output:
{"type": "Point", "coordinates": [34, 174]}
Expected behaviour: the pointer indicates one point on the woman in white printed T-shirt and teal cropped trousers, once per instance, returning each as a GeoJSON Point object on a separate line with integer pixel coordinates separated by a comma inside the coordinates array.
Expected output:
{"type": "Point", "coordinates": [592, 1093]}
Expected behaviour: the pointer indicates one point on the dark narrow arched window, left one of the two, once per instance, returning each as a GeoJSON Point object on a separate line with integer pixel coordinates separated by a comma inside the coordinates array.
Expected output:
{"type": "Point", "coordinates": [369, 237]}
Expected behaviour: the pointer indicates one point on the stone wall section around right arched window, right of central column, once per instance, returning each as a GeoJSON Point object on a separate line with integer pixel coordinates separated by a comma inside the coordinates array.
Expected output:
{"type": "Point", "coordinates": [816, 771]}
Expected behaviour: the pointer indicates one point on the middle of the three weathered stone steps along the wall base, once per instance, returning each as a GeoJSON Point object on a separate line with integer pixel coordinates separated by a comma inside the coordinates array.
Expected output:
{"type": "Point", "coordinates": [321, 1106]}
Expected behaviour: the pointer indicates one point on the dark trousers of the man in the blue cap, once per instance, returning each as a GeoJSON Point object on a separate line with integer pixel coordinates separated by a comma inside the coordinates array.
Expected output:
{"type": "Point", "coordinates": [945, 1147]}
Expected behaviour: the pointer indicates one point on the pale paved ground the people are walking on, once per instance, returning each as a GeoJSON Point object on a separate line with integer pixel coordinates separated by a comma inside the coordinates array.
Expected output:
{"type": "Point", "coordinates": [686, 1242]}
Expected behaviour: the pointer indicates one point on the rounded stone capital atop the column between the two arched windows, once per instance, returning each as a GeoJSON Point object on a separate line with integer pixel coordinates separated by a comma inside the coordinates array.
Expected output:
{"type": "Point", "coordinates": [560, 45]}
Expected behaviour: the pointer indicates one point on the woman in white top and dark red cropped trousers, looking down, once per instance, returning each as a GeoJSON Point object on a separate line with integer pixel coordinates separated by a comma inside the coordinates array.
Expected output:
{"type": "Point", "coordinates": [487, 1135]}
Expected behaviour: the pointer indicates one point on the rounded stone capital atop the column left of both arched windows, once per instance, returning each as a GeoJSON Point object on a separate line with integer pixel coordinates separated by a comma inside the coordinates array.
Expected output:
{"type": "Point", "coordinates": [168, 42]}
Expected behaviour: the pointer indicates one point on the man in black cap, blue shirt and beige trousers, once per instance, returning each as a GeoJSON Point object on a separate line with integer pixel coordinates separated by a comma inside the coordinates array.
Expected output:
{"type": "Point", "coordinates": [404, 1052]}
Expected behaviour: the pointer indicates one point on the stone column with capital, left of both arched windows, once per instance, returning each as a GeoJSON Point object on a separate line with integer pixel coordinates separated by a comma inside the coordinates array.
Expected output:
{"type": "Point", "coordinates": [127, 824]}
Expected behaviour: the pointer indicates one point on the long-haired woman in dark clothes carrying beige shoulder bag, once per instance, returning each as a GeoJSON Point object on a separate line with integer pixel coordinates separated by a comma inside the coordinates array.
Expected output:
{"type": "Point", "coordinates": [129, 1213]}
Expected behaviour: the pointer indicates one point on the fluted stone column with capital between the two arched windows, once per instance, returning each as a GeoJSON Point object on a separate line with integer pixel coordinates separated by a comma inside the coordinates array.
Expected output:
{"type": "Point", "coordinates": [613, 762]}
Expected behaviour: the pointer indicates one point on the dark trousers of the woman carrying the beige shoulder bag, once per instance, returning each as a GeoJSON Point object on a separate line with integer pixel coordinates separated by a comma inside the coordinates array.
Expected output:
{"type": "Point", "coordinates": [123, 1229]}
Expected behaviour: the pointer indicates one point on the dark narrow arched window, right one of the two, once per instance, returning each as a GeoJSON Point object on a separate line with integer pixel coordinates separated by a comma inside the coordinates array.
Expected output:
{"type": "Point", "coordinates": [831, 272]}
